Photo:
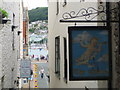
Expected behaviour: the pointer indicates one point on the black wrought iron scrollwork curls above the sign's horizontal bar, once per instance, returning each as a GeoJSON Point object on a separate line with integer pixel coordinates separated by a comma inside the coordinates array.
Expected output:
{"type": "Point", "coordinates": [89, 14]}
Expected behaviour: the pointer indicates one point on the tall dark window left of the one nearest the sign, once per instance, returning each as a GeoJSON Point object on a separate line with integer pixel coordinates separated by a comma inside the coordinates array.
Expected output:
{"type": "Point", "coordinates": [57, 56]}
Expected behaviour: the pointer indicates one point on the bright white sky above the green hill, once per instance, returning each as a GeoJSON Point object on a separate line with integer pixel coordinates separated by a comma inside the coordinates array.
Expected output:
{"type": "Point", "coordinates": [31, 4]}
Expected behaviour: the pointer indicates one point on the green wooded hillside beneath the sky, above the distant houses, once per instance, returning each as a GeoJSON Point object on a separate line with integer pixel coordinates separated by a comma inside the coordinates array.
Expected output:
{"type": "Point", "coordinates": [40, 13]}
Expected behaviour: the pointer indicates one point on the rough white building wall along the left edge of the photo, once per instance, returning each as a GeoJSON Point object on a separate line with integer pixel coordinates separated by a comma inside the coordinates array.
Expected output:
{"type": "Point", "coordinates": [10, 43]}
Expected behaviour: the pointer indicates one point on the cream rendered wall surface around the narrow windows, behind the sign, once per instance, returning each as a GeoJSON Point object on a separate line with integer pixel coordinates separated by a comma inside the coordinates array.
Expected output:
{"type": "Point", "coordinates": [61, 29]}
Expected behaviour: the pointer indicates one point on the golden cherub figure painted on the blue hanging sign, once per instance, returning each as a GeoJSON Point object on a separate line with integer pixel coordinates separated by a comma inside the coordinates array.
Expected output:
{"type": "Point", "coordinates": [90, 53]}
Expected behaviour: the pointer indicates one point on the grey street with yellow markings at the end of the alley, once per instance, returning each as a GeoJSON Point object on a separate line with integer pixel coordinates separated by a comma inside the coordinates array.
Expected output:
{"type": "Point", "coordinates": [39, 82]}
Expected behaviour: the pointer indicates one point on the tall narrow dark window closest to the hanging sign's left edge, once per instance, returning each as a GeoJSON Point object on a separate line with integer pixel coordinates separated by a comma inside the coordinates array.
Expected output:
{"type": "Point", "coordinates": [65, 59]}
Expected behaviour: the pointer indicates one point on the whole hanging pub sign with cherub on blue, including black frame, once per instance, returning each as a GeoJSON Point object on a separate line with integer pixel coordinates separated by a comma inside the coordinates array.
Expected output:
{"type": "Point", "coordinates": [89, 53]}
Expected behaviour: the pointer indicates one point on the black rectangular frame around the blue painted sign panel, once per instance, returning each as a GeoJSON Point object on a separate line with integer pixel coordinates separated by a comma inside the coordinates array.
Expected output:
{"type": "Point", "coordinates": [88, 28]}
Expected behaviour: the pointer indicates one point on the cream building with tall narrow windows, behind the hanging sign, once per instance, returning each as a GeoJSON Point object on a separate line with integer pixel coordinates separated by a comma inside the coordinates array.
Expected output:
{"type": "Point", "coordinates": [59, 59]}
